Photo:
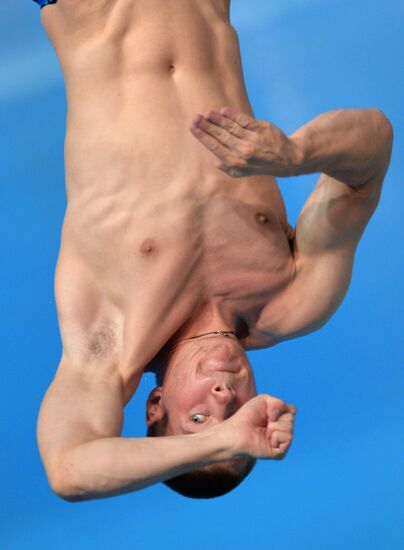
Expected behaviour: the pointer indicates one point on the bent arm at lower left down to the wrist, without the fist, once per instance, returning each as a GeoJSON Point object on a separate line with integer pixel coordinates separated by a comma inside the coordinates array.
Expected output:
{"type": "Point", "coordinates": [79, 425]}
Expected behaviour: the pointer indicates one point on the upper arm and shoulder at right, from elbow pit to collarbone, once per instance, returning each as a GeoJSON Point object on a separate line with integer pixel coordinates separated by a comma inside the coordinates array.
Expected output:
{"type": "Point", "coordinates": [327, 233]}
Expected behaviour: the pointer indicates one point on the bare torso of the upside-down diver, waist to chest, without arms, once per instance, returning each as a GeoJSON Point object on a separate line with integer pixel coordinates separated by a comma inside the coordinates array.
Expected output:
{"type": "Point", "coordinates": [152, 229]}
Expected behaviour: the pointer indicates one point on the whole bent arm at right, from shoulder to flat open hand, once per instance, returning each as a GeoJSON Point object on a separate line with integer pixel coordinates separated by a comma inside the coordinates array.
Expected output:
{"type": "Point", "coordinates": [351, 148]}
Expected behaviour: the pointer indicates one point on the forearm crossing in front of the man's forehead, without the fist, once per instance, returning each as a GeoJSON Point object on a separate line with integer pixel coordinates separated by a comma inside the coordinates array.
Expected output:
{"type": "Point", "coordinates": [111, 466]}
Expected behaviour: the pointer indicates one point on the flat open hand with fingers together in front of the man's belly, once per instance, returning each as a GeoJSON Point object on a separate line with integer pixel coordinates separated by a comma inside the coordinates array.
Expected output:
{"type": "Point", "coordinates": [246, 146]}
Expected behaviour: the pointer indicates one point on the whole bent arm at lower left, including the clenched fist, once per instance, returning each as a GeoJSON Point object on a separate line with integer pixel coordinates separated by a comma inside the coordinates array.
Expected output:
{"type": "Point", "coordinates": [78, 434]}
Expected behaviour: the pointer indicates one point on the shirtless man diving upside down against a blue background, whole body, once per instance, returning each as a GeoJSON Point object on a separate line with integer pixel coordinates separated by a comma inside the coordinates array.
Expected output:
{"type": "Point", "coordinates": [176, 256]}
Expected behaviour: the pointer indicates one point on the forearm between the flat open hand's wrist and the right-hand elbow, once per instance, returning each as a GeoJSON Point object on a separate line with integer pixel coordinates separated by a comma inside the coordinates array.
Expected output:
{"type": "Point", "coordinates": [348, 144]}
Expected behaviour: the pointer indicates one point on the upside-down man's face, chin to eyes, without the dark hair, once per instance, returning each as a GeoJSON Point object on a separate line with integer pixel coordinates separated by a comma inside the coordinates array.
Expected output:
{"type": "Point", "coordinates": [207, 380]}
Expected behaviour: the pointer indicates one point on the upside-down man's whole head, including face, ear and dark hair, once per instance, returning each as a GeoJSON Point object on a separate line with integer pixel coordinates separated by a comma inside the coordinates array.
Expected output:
{"type": "Point", "coordinates": [205, 381]}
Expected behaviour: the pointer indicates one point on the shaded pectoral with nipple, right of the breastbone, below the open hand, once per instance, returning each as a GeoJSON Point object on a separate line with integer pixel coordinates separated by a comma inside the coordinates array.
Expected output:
{"type": "Point", "coordinates": [247, 257]}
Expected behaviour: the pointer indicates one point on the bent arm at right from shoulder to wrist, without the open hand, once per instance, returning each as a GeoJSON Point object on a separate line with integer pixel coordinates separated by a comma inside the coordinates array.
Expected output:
{"type": "Point", "coordinates": [352, 150]}
